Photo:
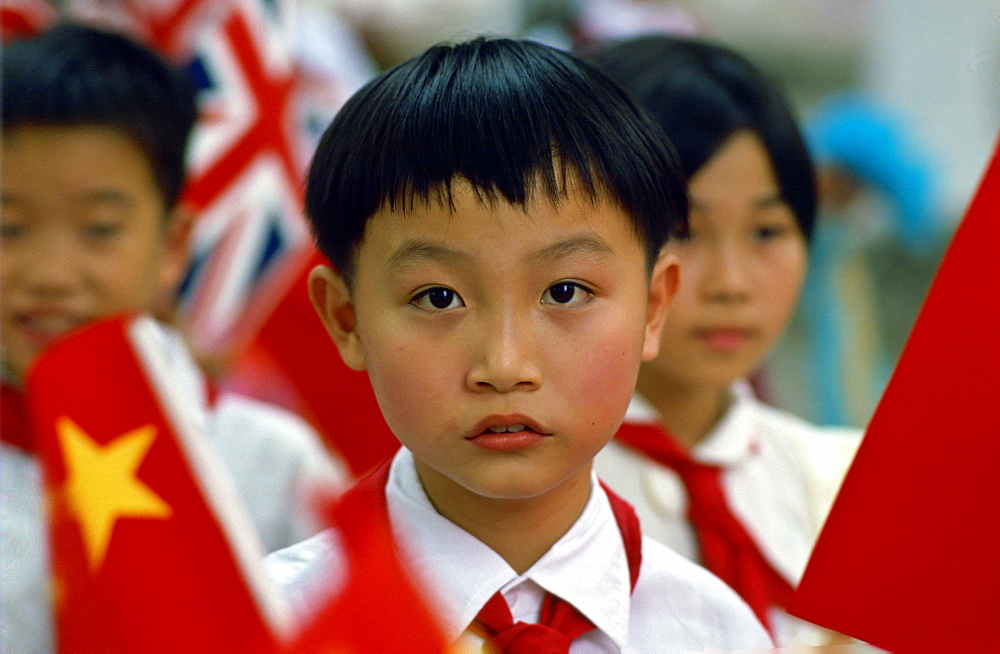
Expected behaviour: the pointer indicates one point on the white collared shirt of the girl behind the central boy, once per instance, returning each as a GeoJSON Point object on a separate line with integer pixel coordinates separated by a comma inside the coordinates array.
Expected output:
{"type": "Point", "coordinates": [781, 475]}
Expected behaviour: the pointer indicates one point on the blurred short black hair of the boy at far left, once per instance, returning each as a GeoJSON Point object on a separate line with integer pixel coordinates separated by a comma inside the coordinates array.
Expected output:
{"type": "Point", "coordinates": [75, 75]}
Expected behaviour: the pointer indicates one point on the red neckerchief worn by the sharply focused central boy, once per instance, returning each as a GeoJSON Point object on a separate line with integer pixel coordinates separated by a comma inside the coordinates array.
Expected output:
{"type": "Point", "coordinates": [559, 619]}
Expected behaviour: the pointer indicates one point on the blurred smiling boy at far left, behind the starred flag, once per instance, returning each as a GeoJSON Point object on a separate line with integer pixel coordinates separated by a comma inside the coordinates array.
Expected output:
{"type": "Point", "coordinates": [95, 129]}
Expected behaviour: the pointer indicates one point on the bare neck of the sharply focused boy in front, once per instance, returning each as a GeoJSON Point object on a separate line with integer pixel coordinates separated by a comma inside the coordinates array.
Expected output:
{"type": "Point", "coordinates": [522, 530]}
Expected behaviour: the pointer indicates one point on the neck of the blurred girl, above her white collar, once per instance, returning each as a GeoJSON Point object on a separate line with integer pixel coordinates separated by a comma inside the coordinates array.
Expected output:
{"type": "Point", "coordinates": [689, 412]}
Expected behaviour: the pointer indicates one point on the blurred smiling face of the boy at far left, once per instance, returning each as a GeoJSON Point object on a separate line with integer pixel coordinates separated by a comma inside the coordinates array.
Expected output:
{"type": "Point", "coordinates": [84, 235]}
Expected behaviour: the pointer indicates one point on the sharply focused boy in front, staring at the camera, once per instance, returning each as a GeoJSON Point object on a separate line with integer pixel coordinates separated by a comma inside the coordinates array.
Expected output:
{"type": "Point", "coordinates": [494, 213]}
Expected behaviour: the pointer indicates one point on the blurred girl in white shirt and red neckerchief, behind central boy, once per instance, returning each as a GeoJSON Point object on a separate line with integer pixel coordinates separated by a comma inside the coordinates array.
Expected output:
{"type": "Point", "coordinates": [723, 478]}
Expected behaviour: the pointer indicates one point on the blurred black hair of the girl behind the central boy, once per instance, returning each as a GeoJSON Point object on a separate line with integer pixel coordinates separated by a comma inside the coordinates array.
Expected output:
{"type": "Point", "coordinates": [701, 93]}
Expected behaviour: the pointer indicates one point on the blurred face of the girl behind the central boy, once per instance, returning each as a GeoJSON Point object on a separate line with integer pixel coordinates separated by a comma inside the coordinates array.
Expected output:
{"type": "Point", "coordinates": [741, 272]}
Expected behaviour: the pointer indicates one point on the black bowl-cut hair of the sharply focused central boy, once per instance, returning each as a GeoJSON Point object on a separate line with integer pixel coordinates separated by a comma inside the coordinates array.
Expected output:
{"type": "Point", "coordinates": [511, 117]}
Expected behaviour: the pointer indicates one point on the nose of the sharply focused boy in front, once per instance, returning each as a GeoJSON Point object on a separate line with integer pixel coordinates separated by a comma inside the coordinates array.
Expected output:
{"type": "Point", "coordinates": [504, 361]}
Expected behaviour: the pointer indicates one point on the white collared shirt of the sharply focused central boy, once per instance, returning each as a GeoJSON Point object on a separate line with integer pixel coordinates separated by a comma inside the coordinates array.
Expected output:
{"type": "Point", "coordinates": [676, 606]}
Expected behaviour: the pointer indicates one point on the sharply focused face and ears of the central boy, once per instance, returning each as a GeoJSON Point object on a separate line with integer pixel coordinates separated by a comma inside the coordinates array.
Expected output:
{"type": "Point", "coordinates": [503, 345]}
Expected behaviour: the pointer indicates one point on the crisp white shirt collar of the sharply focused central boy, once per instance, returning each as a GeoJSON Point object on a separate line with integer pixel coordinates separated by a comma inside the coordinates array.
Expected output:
{"type": "Point", "coordinates": [467, 572]}
